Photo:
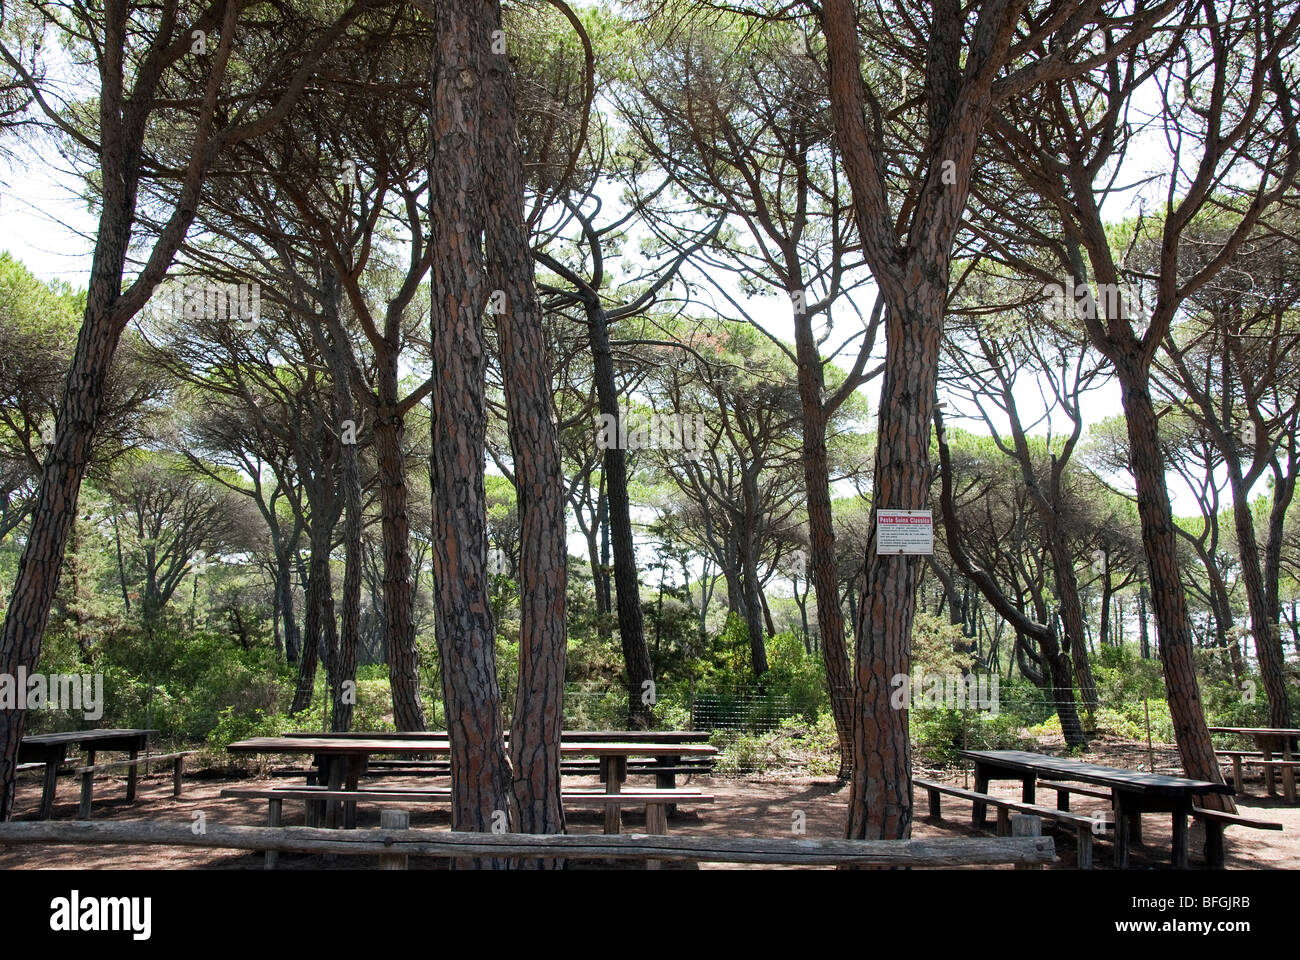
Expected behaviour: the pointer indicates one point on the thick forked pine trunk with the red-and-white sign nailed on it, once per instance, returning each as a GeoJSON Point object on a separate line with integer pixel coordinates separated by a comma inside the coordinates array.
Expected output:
{"type": "Point", "coordinates": [913, 276]}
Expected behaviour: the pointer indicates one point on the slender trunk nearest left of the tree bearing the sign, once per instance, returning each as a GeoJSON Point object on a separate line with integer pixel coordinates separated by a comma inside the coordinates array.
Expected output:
{"type": "Point", "coordinates": [822, 559]}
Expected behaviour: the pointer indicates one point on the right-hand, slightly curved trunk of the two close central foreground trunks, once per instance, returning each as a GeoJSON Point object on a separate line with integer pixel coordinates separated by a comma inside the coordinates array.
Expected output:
{"type": "Point", "coordinates": [539, 719]}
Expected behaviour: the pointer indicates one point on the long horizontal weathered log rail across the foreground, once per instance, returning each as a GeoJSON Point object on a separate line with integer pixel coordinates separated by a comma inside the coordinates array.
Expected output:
{"type": "Point", "coordinates": [961, 851]}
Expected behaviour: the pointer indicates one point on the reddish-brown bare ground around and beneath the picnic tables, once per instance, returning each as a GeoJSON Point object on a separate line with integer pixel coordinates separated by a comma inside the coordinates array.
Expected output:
{"type": "Point", "coordinates": [766, 805]}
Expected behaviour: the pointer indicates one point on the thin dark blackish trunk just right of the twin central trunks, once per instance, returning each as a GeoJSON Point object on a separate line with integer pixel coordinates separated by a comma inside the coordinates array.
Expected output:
{"type": "Point", "coordinates": [627, 585]}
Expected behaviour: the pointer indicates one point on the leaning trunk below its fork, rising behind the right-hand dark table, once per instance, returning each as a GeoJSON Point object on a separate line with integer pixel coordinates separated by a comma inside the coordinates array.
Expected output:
{"type": "Point", "coordinates": [1173, 626]}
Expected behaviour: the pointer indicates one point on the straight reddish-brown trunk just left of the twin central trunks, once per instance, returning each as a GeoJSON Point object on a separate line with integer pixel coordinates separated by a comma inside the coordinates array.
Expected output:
{"type": "Point", "coordinates": [396, 531]}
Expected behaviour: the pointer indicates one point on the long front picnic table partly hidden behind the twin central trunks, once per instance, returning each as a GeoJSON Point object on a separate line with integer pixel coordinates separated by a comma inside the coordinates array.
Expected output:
{"type": "Point", "coordinates": [344, 758]}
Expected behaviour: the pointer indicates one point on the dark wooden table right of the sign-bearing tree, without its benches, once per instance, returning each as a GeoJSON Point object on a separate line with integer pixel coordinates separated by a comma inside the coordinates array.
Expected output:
{"type": "Point", "coordinates": [1133, 793]}
